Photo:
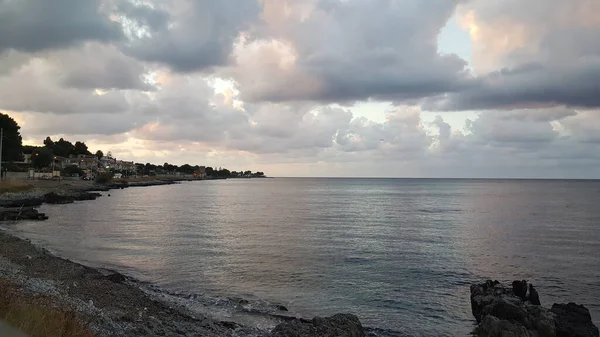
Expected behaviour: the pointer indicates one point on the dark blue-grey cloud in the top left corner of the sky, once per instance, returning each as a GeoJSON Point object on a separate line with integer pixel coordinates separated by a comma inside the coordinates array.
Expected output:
{"type": "Point", "coordinates": [34, 25]}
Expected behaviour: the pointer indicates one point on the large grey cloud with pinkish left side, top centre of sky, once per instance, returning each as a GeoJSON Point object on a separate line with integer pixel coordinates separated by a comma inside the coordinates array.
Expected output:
{"type": "Point", "coordinates": [345, 51]}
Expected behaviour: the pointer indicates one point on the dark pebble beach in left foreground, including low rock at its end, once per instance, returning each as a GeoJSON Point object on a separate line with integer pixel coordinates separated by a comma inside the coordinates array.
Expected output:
{"type": "Point", "coordinates": [111, 304]}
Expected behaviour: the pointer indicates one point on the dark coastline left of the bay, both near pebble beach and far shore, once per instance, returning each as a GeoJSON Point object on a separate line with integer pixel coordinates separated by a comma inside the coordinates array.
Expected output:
{"type": "Point", "coordinates": [108, 303]}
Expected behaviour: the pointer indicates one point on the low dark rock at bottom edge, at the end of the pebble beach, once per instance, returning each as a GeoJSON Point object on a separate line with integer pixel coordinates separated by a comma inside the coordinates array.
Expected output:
{"type": "Point", "coordinates": [339, 325]}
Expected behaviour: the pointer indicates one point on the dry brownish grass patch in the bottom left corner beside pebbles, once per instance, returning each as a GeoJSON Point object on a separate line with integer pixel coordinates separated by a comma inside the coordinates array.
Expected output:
{"type": "Point", "coordinates": [35, 316]}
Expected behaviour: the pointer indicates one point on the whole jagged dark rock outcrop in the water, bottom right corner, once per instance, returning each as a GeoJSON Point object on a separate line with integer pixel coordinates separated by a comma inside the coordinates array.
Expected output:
{"type": "Point", "coordinates": [500, 312]}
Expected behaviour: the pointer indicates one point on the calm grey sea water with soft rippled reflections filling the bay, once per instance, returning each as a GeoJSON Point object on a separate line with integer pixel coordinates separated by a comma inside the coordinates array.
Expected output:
{"type": "Point", "coordinates": [398, 253]}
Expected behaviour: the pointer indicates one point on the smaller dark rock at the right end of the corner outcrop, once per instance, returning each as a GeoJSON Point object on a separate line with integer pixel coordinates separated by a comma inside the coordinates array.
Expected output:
{"type": "Point", "coordinates": [573, 320]}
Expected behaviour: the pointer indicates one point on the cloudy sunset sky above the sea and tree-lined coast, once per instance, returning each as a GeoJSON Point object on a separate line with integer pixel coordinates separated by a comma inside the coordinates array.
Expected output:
{"type": "Point", "coordinates": [349, 88]}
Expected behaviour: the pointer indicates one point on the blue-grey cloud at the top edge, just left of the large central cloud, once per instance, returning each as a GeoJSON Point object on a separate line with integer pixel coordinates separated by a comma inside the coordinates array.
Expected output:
{"type": "Point", "coordinates": [200, 35]}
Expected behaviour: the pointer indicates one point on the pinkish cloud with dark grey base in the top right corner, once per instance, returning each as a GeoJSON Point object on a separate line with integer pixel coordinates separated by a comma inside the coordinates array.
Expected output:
{"type": "Point", "coordinates": [539, 54]}
